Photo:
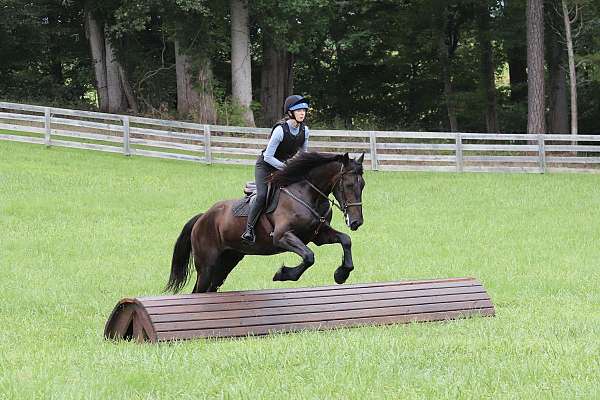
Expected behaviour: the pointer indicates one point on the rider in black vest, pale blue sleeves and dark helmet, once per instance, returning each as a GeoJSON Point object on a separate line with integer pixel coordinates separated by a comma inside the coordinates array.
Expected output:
{"type": "Point", "coordinates": [287, 137]}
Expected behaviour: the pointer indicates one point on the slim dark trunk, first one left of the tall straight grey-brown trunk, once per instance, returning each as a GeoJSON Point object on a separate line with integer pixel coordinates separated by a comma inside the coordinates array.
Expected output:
{"type": "Point", "coordinates": [488, 79]}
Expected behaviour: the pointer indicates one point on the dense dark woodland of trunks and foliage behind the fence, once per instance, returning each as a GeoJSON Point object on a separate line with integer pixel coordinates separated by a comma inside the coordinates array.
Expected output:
{"type": "Point", "coordinates": [466, 65]}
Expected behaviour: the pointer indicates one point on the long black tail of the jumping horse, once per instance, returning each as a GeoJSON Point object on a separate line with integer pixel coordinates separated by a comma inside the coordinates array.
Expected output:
{"type": "Point", "coordinates": [181, 261]}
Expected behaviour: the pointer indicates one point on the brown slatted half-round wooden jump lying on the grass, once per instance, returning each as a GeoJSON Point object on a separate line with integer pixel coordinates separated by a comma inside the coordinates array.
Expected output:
{"type": "Point", "coordinates": [260, 312]}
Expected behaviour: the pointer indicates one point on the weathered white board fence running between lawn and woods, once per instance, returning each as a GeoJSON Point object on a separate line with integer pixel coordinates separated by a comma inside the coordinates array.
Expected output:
{"type": "Point", "coordinates": [384, 150]}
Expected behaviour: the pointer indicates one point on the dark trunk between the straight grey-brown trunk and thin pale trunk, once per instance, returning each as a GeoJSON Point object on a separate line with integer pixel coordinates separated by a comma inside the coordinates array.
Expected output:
{"type": "Point", "coordinates": [558, 120]}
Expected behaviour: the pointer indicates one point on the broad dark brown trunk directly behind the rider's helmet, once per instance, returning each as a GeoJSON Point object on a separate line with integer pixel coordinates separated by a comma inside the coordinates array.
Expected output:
{"type": "Point", "coordinates": [276, 80]}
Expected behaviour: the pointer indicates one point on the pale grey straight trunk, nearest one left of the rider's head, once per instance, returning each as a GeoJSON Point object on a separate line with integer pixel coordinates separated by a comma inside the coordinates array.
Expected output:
{"type": "Point", "coordinates": [241, 70]}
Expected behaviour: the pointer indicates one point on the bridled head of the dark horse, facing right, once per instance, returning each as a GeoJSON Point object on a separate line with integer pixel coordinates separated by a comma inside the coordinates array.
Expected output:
{"type": "Point", "coordinates": [348, 190]}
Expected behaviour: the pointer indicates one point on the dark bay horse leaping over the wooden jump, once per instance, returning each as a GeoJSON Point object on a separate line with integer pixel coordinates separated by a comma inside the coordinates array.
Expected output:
{"type": "Point", "coordinates": [302, 215]}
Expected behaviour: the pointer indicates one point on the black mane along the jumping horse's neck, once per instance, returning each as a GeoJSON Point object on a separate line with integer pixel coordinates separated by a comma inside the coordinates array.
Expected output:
{"type": "Point", "coordinates": [298, 167]}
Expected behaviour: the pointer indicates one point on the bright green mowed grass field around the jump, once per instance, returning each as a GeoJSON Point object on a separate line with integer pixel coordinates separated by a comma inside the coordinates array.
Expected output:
{"type": "Point", "coordinates": [79, 230]}
